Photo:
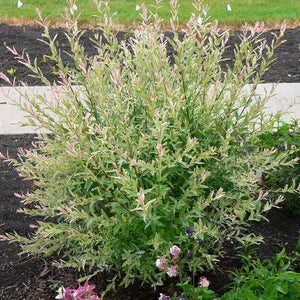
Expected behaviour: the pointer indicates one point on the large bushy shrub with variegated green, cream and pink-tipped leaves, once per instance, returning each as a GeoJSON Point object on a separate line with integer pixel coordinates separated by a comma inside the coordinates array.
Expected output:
{"type": "Point", "coordinates": [140, 149]}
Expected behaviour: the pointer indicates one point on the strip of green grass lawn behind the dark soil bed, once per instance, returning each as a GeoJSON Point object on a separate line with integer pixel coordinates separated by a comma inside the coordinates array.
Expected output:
{"type": "Point", "coordinates": [250, 11]}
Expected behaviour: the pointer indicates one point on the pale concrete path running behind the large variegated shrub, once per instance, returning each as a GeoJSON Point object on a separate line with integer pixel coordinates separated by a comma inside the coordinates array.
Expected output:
{"type": "Point", "coordinates": [287, 98]}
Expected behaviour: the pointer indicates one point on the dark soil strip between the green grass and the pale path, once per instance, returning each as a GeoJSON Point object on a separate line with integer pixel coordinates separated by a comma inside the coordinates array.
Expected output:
{"type": "Point", "coordinates": [286, 67]}
